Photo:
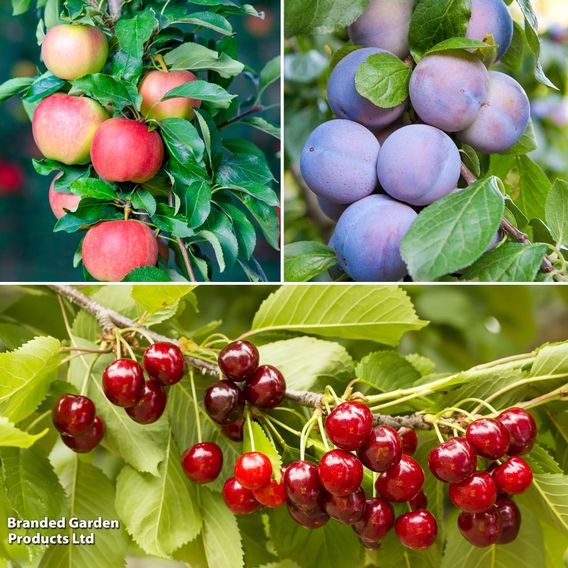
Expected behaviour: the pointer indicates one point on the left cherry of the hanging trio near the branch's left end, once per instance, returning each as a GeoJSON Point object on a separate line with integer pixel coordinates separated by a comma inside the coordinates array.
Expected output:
{"type": "Point", "coordinates": [123, 382]}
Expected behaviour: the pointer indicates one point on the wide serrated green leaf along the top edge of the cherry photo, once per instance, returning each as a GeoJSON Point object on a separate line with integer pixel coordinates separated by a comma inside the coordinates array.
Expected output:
{"type": "Point", "coordinates": [376, 313]}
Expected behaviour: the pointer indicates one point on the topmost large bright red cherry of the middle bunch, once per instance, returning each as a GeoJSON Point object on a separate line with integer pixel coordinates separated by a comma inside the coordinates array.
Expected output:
{"type": "Point", "coordinates": [349, 425]}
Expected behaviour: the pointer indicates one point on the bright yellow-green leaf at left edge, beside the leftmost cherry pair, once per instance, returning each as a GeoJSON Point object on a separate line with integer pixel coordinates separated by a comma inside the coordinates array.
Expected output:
{"type": "Point", "coordinates": [26, 376]}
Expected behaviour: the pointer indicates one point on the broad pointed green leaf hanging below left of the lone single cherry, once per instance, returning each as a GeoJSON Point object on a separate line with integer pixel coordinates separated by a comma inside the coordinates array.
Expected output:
{"type": "Point", "coordinates": [166, 517]}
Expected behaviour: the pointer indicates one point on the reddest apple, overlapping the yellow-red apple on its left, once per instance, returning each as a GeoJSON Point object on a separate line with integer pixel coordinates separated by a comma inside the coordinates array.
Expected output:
{"type": "Point", "coordinates": [126, 150]}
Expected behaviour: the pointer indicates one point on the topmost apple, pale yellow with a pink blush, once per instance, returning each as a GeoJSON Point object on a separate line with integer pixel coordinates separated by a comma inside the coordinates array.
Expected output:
{"type": "Point", "coordinates": [73, 51]}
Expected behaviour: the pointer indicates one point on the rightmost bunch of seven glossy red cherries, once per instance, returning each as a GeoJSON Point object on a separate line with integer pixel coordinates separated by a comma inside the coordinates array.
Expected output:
{"type": "Point", "coordinates": [489, 516]}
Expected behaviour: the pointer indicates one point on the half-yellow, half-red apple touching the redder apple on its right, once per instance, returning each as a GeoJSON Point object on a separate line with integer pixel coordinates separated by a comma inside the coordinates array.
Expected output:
{"type": "Point", "coordinates": [64, 126]}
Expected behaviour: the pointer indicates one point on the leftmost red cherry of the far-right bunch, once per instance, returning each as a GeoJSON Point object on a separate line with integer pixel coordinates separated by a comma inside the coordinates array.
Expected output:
{"type": "Point", "coordinates": [453, 460]}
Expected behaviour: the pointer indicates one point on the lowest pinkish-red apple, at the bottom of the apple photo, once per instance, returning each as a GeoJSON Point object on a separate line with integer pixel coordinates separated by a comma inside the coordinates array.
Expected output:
{"type": "Point", "coordinates": [112, 249]}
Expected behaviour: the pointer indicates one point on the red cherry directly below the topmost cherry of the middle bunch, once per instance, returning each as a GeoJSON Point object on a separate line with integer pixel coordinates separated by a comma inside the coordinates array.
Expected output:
{"type": "Point", "coordinates": [340, 472]}
